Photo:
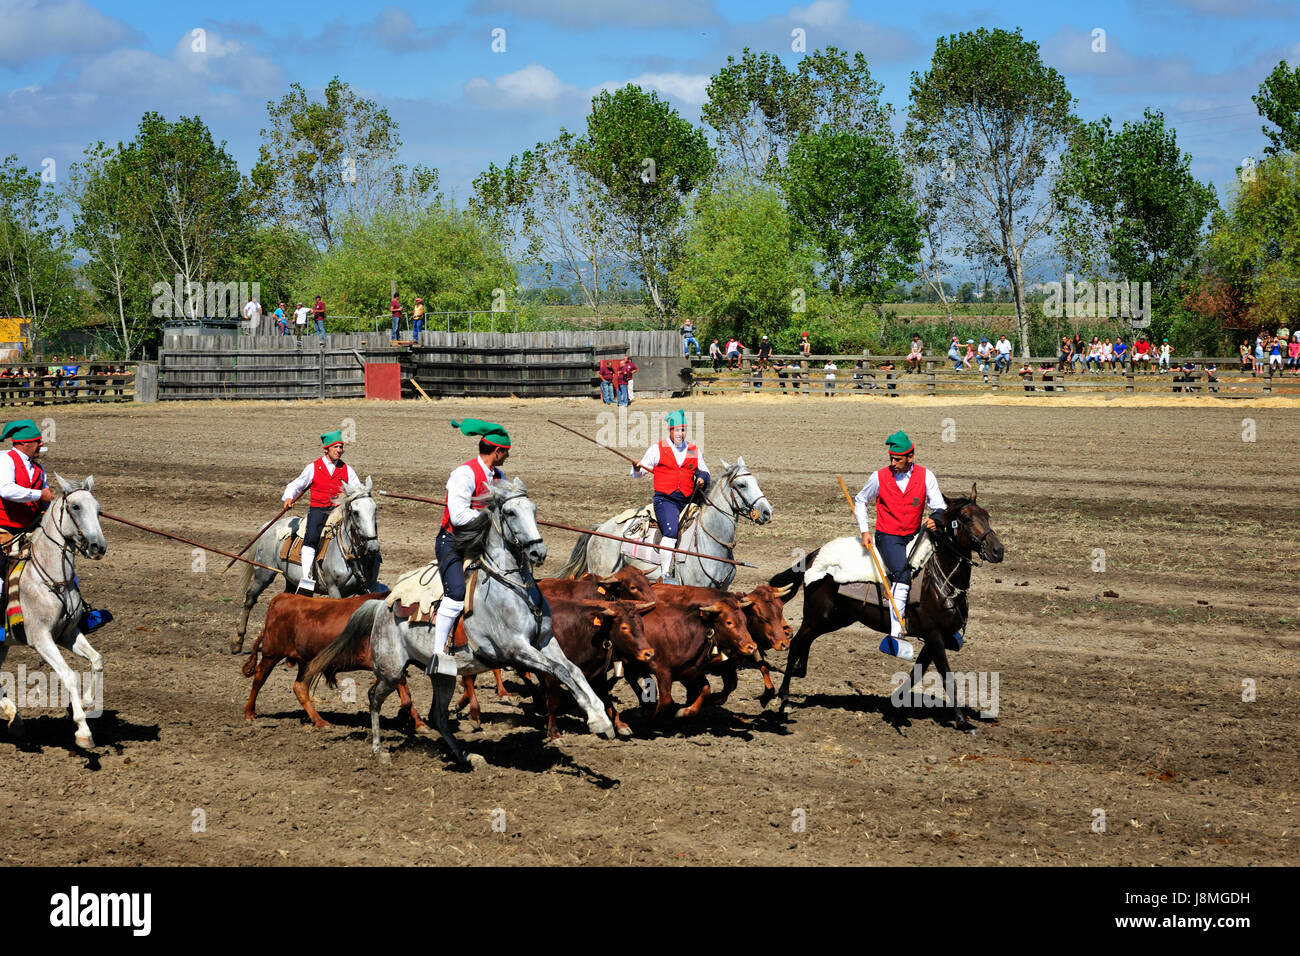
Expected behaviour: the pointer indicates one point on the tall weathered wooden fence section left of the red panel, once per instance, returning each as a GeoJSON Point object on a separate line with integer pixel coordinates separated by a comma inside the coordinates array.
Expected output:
{"type": "Point", "coordinates": [268, 367]}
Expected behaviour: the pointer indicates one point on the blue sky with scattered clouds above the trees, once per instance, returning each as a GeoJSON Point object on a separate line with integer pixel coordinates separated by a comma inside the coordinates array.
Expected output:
{"type": "Point", "coordinates": [73, 72]}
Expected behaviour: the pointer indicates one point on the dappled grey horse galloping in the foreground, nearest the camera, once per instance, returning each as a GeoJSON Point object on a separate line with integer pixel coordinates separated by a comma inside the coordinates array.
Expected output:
{"type": "Point", "coordinates": [510, 625]}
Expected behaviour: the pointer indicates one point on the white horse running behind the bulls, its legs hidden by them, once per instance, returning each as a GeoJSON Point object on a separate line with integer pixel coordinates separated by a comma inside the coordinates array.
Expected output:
{"type": "Point", "coordinates": [733, 495]}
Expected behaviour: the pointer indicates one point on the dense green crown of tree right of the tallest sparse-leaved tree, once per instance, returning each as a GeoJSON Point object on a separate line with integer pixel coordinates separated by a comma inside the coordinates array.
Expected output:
{"type": "Point", "coordinates": [1130, 206]}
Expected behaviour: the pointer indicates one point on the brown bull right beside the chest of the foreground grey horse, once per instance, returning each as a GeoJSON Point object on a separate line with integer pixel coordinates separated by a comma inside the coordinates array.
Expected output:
{"type": "Point", "coordinates": [595, 635]}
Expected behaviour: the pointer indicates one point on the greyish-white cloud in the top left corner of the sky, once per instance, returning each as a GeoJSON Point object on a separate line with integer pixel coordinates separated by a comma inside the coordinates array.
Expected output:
{"type": "Point", "coordinates": [34, 29]}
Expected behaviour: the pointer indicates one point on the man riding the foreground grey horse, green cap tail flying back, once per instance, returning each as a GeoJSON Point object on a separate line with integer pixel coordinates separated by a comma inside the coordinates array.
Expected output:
{"type": "Point", "coordinates": [467, 482]}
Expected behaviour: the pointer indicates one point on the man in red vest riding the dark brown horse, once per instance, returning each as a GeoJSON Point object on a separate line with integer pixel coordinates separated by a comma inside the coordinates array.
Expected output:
{"type": "Point", "coordinates": [903, 492]}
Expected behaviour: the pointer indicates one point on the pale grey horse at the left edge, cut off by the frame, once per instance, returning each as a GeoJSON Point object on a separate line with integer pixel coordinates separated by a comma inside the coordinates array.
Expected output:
{"type": "Point", "coordinates": [51, 602]}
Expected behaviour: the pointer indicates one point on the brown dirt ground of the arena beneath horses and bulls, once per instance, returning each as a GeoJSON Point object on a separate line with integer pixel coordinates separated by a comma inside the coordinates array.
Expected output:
{"type": "Point", "coordinates": [1120, 691]}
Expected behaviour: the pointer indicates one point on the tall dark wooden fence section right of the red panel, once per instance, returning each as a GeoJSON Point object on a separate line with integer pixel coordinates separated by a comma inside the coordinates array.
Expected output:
{"type": "Point", "coordinates": [531, 365]}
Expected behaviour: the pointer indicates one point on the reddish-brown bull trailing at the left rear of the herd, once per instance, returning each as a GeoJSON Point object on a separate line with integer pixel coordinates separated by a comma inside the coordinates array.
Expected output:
{"type": "Point", "coordinates": [297, 629]}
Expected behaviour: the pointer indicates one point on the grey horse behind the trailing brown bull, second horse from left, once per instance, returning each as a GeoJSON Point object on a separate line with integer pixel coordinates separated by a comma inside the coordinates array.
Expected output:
{"type": "Point", "coordinates": [349, 566]}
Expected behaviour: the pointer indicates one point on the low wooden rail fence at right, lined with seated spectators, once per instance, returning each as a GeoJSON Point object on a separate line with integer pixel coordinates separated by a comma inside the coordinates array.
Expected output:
{"type": "Point", "coordinates": [808, 377]}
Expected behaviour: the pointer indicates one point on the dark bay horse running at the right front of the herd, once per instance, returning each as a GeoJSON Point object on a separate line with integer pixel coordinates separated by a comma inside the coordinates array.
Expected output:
{"type": "Point", "coordinates": [937, 609]}
